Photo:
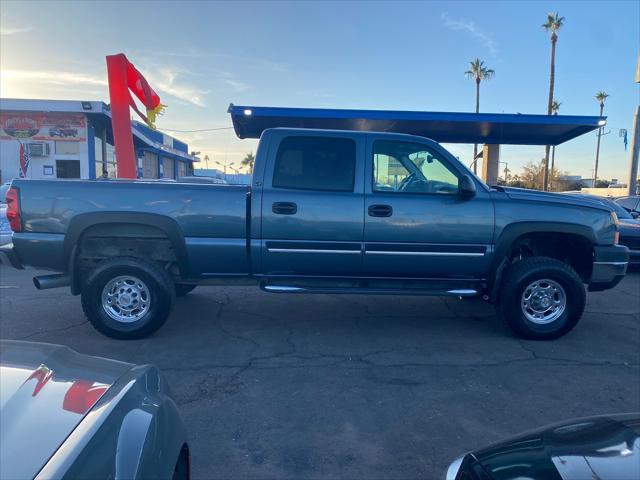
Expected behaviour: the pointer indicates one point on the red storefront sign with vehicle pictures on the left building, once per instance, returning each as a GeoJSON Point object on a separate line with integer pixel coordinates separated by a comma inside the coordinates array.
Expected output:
{"type": "Point", "coordinates": [43, 126]}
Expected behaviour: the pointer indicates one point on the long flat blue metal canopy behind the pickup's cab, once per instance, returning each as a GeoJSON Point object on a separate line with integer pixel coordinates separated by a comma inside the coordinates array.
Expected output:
{"type": "Point", "coordinates": [444, 127]}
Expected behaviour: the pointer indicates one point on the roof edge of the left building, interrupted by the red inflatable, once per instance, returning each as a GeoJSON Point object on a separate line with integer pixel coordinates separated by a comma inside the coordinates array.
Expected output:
{"type": "Point", "coordinates": [147, 137]}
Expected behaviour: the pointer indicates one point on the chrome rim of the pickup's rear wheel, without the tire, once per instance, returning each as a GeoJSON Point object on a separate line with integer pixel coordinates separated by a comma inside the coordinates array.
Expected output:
{"type": "Point", "coordinates": [126, 299]}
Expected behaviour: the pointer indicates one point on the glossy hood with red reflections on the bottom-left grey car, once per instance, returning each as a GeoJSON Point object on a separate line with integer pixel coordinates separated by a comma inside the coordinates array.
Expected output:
{"type": "Point", "coordinates": [45, 392]}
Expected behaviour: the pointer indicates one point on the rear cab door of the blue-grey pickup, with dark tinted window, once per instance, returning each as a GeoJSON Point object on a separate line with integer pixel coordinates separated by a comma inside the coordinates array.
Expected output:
{"type": "Point", "coordinates": [312, 204]}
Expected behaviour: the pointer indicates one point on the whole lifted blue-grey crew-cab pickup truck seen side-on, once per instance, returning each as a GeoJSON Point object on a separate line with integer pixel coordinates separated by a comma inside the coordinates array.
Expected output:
{"type": "Point", "coordinates": [327, 212]}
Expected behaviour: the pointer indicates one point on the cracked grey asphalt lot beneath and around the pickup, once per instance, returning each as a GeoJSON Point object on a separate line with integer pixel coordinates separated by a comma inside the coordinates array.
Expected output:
{"type": "Point", "coordinates": [358, 387]}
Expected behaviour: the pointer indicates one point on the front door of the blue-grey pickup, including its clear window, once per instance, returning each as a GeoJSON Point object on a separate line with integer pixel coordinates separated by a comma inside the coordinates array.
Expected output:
{"type": "Point", "coordinates": [416, 223]}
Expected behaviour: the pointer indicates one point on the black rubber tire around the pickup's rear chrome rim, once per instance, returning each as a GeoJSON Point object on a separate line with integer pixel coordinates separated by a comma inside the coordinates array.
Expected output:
{"type": "Point", "coordinates": [158, 285]}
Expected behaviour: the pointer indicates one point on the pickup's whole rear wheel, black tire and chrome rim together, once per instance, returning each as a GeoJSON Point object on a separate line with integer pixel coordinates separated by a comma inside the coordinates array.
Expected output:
{"type": "Point", "coordinates": [128, 297]}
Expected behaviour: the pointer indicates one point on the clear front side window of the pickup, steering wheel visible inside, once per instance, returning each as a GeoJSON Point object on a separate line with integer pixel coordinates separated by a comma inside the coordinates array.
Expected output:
{"type": "Point", "coordinates": [406, 167]}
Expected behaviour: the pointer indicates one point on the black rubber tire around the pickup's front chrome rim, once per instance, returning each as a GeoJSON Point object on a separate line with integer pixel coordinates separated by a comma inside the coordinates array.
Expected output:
{"type": "Point", "coordinates": [523, 274]}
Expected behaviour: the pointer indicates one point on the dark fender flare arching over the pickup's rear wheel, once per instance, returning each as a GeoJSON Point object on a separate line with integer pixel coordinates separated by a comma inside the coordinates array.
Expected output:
{"type": "Point", "coordinates": [79, 224]}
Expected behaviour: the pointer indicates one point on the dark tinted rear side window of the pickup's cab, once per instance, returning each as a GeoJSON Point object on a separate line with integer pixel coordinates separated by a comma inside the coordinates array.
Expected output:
{"type": "Point", "coordinates": [316, 163]}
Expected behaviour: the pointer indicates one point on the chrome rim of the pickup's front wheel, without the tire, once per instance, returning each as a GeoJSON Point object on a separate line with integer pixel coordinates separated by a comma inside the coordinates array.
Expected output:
{"type": "Point", "coordinates": [543, 301]}
